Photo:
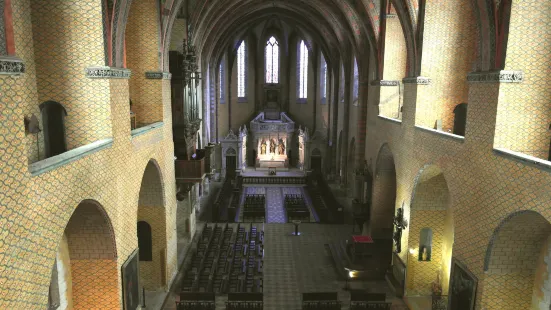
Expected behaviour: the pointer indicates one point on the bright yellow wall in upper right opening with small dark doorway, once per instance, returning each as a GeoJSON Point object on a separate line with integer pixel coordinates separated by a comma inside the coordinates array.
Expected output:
{"type": "Point", "coordinates": [448, 55]}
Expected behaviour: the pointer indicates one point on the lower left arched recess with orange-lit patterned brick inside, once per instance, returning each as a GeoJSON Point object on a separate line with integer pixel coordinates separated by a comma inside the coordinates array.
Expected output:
{"type": "Point", "coordinates": [85, 277]}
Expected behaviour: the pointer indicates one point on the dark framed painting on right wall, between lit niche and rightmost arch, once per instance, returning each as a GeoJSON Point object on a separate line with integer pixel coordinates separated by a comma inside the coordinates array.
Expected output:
{"type": "Point", "coordinates": [463, 284]}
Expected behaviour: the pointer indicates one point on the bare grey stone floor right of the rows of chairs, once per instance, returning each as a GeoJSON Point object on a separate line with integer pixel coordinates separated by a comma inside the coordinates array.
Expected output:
{"type": "Point", "coordinates": [295, 265]}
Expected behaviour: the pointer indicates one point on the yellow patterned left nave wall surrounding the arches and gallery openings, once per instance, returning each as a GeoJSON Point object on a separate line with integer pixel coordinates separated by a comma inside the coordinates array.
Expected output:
{"type": "Point", "coordinates": [35, 209]}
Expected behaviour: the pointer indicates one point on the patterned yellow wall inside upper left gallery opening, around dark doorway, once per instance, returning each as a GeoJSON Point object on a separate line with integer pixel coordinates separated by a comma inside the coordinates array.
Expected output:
{"type": "Point", "coordinates": [61, 57]}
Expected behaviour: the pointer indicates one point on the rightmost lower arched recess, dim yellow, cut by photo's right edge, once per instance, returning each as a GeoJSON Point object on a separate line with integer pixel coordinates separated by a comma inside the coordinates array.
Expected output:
{"type": "Point", "coordinates": [516, 267]}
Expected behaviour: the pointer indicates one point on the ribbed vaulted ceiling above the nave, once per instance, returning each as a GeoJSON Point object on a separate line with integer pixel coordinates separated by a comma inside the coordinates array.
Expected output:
{"type": "Point", "coordinates": [336, 25]}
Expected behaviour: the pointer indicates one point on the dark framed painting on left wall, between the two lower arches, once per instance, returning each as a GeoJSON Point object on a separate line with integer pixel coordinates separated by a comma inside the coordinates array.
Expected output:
{"type": "Point", "coordinates": [130, 282]}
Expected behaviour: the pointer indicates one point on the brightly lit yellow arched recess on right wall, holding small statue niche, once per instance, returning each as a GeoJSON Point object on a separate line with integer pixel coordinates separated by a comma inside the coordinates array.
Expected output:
{"type": "Point", "coordinates": [431, 233]}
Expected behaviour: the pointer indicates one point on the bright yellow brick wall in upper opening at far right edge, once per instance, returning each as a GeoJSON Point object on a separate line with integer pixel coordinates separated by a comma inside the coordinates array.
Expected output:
{"type": "Point", "coordinates": [524, 116]}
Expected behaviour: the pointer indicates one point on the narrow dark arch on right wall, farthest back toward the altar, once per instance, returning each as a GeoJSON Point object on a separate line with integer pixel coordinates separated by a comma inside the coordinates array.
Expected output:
{"type": "Point", "coordinates": [384, 195]}
